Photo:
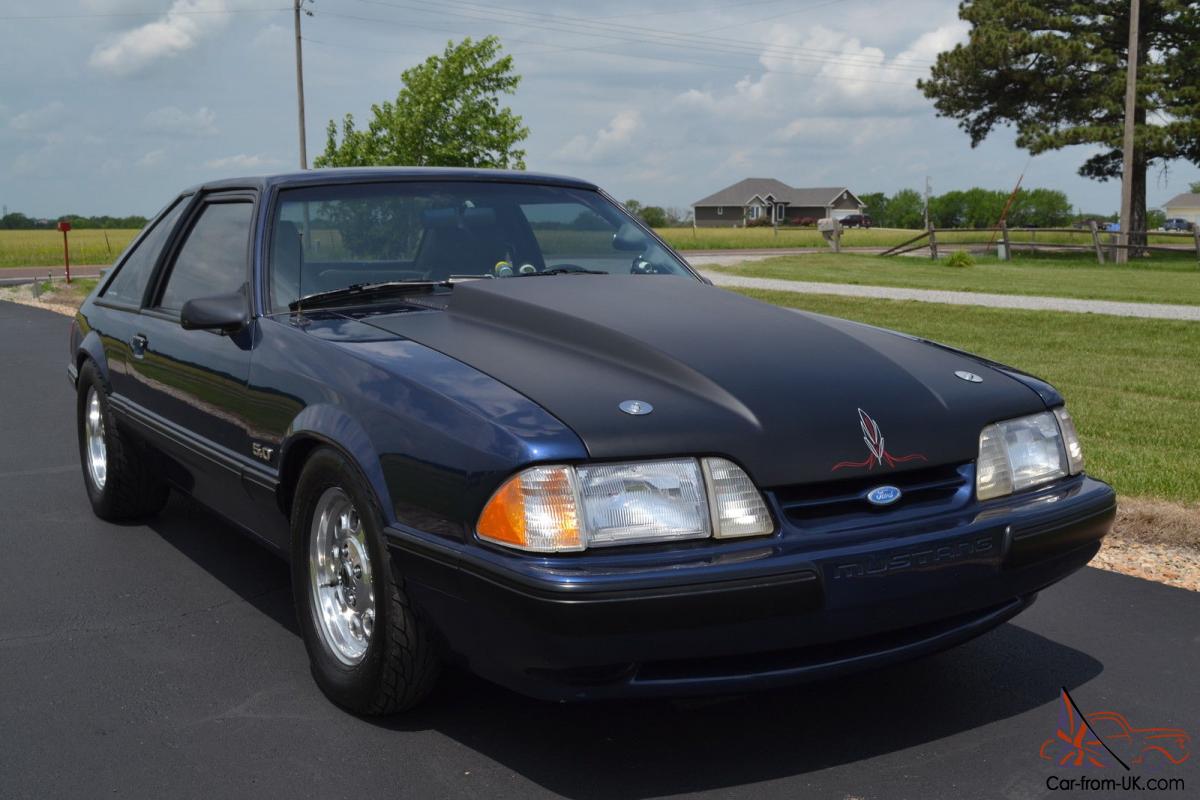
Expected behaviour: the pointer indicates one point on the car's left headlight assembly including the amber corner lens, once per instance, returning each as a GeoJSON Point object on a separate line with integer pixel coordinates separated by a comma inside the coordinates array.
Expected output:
{"type": "Point", "coordinates": [559, 509]}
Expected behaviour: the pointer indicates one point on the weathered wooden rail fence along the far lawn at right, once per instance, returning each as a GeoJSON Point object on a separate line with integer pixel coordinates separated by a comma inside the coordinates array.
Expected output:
{"type": "Point", "coordinates": [1103, 244]}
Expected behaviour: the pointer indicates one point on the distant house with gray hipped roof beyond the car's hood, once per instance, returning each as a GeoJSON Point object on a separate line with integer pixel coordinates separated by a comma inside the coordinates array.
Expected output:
{"type": "Point", "coordinates": [766, 199]}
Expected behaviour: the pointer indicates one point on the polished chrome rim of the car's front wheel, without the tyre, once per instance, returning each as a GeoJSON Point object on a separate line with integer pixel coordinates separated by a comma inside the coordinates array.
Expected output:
{"type": "Point", "coordinates": [341, 579]}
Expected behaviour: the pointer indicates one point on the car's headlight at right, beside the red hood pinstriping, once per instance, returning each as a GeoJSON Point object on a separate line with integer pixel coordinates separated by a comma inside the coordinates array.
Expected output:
{"type": "Point", "coordinates": [1028, 452]}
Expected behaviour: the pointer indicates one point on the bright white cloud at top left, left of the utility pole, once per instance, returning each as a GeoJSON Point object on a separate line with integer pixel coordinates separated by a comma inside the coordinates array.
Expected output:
{"type": "Point", "coordinates": [179, 31]}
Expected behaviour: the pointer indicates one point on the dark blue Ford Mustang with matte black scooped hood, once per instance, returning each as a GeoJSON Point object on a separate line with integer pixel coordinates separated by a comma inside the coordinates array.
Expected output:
{"type": "Point", "coordinates": [493, 419]}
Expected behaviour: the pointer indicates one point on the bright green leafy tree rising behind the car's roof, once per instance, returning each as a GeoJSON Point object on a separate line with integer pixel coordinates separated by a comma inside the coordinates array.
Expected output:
{"type": "Point", "coordinates": [448, 115]}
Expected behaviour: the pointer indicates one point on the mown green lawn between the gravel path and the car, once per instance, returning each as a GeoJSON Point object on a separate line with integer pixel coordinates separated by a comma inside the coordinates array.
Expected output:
{"type": "Point", "coordinates": [1132, 384]}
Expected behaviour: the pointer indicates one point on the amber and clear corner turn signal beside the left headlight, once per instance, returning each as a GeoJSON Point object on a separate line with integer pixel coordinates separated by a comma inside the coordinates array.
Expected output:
{"type": "Point", "coordinates": [535, 512]}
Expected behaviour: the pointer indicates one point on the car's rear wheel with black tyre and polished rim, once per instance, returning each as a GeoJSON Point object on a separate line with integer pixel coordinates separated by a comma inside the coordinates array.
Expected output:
{"type": "Point", "coordinates": [122, 483]}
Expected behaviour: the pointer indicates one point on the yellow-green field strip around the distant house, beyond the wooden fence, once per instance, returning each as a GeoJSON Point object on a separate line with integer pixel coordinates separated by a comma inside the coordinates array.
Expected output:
{"type": "Point", "coordinates": [685, 239]}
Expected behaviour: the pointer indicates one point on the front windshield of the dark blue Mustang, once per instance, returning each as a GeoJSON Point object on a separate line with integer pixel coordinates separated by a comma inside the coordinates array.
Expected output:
{"type": "Point", "coordinates": [328, 238]}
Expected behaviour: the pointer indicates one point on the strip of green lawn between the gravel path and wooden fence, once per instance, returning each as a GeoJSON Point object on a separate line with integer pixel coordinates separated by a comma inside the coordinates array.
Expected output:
{"type": "Point", "coordinates": [1172, 280]}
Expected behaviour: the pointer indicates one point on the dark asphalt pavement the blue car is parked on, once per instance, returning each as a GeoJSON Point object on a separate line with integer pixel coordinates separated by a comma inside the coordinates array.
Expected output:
{"type": "Point", "coordinates": [164, 660]}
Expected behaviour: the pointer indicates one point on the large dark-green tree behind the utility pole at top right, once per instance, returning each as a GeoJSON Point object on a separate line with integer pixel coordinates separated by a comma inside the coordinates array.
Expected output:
{"type": "Point", "coordinates": [1055, 70]}
